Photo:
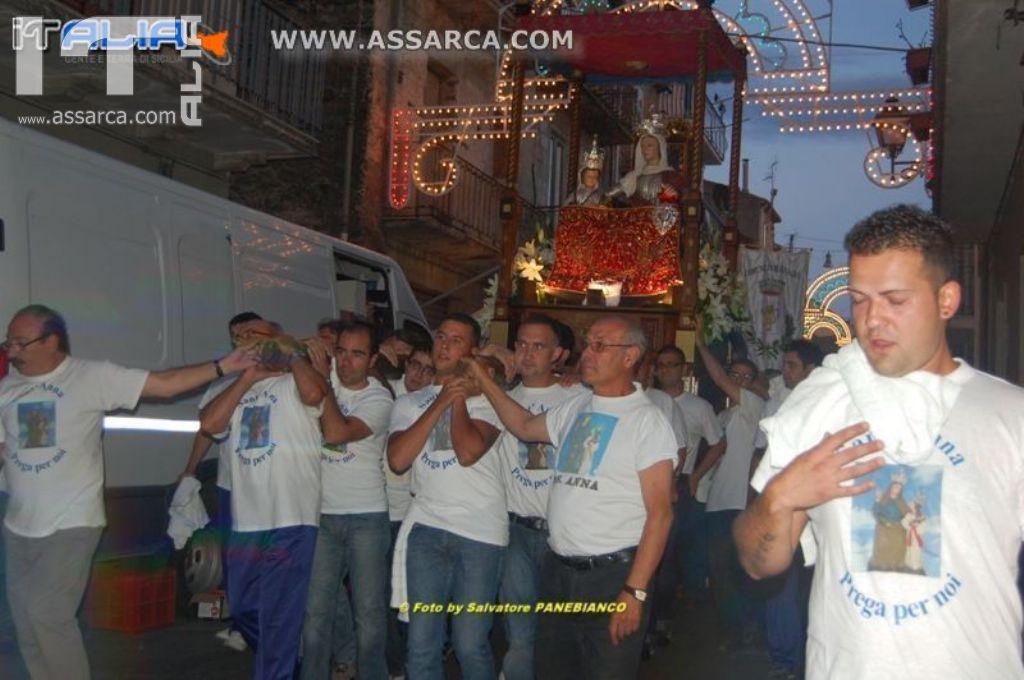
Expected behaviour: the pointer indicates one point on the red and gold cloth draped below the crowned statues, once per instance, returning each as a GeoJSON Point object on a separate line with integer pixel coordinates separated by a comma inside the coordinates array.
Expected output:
{"type": "Point", "coordinates": [637, 246]}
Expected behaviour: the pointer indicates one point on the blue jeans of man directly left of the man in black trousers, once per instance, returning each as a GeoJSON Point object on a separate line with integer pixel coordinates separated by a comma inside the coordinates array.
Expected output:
{"type": "Point", "coordinates": [522, 585]}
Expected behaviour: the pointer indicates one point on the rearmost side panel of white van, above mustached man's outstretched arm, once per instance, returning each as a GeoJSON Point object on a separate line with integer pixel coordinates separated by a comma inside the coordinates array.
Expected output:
{"type": "Point", "coordinates": [99, 266]}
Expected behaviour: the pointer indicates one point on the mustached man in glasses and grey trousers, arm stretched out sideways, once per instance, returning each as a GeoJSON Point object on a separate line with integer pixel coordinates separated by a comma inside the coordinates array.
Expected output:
{"type": "Point", "coordinates": [52, 411]}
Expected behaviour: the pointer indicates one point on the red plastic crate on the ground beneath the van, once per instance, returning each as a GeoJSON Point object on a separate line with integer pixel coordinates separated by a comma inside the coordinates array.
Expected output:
{"type": "Point", "coordinates": [130, 601]}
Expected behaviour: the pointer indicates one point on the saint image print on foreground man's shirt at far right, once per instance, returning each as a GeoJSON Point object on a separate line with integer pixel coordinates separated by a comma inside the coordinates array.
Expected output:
{"type": "Point", "coordinates": [898, 528]}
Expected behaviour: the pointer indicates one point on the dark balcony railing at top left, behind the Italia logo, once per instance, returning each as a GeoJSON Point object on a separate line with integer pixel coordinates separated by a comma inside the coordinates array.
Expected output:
{"type": "Point", "coordinates": [286, 84]}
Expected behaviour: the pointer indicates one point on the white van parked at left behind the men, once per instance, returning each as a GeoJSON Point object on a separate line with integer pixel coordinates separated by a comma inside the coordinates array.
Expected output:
{"type": "Point", "coordinates": [147, 273]}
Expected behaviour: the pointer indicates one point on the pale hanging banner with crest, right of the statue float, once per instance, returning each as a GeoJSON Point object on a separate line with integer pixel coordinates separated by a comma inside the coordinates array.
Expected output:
{"type": "Point", "coordinates": [777, 282]}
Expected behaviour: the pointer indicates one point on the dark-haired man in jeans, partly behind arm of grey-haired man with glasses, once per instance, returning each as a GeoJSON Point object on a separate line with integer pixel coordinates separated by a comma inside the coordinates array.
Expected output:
{"type": "Point", "coordinates": [528, 469]}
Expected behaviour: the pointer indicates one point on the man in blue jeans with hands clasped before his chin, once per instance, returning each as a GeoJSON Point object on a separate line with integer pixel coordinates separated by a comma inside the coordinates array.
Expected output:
{"type": "Point", "coordinates": [452, 544]}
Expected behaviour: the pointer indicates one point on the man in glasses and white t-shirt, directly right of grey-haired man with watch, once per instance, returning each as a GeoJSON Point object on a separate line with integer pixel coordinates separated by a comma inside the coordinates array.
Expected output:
{"type": "Point", "coordinates": [702, 426]}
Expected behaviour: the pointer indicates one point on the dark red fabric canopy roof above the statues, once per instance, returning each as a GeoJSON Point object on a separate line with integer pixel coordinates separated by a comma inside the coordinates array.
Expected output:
{"type": "Point", "coordinates": [638, 46]}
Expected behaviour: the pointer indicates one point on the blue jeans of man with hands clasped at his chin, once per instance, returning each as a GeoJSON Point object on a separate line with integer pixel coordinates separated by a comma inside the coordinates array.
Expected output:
{"type": "Point", "coordinates": [444, 568]}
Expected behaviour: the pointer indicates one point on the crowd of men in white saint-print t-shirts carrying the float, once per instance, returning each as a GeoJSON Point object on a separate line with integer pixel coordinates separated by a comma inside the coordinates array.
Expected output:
{"type": "Point", "coordinates": [390, 499]}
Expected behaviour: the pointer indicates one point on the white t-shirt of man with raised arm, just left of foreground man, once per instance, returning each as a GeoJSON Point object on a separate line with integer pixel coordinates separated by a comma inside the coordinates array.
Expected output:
{"type": "Point", "coordinates": [729, 487]}
